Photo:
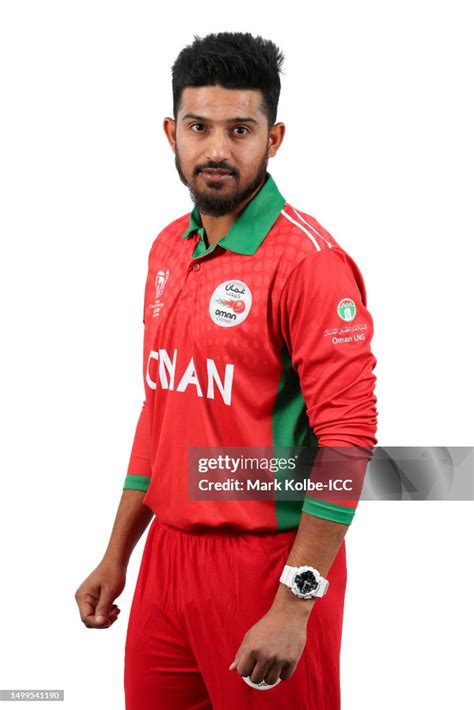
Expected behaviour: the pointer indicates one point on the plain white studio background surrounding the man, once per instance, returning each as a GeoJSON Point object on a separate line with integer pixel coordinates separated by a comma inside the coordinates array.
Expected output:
{"type": "Point", "coordinates": [377, 99]}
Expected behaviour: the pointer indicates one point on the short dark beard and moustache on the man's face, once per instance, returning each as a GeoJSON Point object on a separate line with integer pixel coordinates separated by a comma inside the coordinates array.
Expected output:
{"type": "Point", "coordinates": [209, 201]}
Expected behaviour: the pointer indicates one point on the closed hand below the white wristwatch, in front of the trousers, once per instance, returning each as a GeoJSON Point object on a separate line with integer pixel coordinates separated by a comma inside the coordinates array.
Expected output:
{"type": "Point", "coordinates": [272, 648]}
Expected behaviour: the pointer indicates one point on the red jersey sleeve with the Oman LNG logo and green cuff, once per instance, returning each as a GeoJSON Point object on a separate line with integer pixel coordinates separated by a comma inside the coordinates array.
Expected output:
{"type": "Point", "coordinates": [328, 330]}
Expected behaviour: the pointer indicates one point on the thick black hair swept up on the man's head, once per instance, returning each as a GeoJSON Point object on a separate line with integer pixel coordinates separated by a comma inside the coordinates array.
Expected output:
{"type": "Point", "coordinates": [234, 60]}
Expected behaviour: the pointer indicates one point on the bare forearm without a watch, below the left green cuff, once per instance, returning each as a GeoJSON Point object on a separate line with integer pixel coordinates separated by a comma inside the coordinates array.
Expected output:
{"type": "Point", "coordinates": [131, 520]}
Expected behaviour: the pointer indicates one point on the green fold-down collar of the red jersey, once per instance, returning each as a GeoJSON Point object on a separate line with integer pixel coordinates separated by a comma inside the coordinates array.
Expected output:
{"type": "Point", "coordinates": [251, 226]}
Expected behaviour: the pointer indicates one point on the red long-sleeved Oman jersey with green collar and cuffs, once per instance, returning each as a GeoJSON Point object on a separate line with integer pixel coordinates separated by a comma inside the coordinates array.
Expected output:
{"type": "Point", "coordinates": [262, 339]}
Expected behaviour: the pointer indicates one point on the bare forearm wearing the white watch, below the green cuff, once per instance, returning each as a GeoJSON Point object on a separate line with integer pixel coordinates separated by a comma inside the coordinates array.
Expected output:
{"type": "Point", "coordinates": [316, 544]}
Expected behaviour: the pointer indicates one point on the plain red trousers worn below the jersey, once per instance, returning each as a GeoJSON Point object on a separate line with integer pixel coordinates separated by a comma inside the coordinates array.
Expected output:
{"type": "Point", "coordinates": [197, 594]}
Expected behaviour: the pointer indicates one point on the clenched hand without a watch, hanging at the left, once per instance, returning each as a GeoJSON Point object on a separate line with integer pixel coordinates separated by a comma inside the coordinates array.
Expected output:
{"type": "Point", "coordinates": [96, 594]}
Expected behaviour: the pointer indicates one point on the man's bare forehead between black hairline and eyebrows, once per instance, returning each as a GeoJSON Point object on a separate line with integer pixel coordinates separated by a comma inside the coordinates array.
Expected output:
{"type": "Point", "coordinates": [218, 103]}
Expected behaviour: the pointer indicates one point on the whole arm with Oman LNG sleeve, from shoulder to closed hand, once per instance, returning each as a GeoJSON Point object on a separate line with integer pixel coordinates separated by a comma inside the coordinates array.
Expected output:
{"type": "Point", "coordinates": [335, 372]}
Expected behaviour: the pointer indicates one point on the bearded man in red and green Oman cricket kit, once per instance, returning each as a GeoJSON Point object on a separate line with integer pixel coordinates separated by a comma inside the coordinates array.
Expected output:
{"type": "Point", "coordinates": [256, 334]}
